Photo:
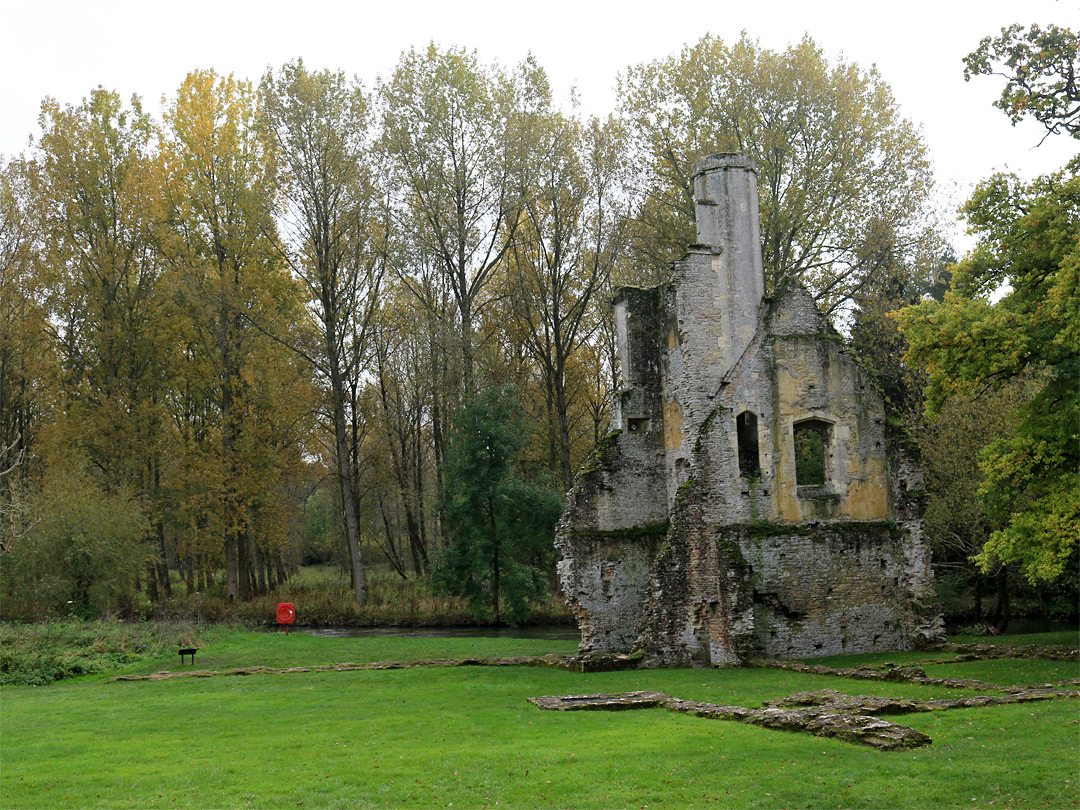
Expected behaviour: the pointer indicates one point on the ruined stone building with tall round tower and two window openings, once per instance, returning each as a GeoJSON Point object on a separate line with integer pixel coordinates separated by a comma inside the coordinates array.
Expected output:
{"type": "Point", "coordinates": [748, 501]}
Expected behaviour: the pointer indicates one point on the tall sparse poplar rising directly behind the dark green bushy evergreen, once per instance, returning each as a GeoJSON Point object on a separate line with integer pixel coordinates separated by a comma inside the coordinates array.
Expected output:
{"type": "Point", "coordinates": [455, 132]}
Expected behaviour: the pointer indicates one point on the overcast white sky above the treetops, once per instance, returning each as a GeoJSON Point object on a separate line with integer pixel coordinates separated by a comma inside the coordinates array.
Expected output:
{"type": "Point", "coordinates": [65, 48]}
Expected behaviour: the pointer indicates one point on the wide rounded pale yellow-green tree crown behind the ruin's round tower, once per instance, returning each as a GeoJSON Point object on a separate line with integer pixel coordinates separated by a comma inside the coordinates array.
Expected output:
{"type": "Point", "coordinates": [843, 175]}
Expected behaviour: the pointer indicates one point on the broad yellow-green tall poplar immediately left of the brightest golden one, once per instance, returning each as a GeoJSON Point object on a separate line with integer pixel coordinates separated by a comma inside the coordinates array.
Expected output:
{"type": "Point", "coordinates": [98, 198]}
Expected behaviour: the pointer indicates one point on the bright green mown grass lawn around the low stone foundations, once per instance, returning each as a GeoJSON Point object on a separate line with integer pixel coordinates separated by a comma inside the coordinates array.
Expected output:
{"type": "Point", "coordinates": [467, 738]}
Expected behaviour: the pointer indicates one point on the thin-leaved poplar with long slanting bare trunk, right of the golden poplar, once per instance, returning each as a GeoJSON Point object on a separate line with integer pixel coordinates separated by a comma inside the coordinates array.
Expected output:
{"type": "Point", "coordinates": [335, 233]}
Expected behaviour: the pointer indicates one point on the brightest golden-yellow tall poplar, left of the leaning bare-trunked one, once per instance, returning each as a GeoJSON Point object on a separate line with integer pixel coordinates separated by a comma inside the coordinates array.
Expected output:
{"type": "Point", "coordinates": [222, 244]}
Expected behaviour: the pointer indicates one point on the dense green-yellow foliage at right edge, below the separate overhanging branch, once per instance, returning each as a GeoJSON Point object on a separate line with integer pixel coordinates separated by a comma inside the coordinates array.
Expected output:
{"type": "Point", "coordinates": [1030, 240]}
